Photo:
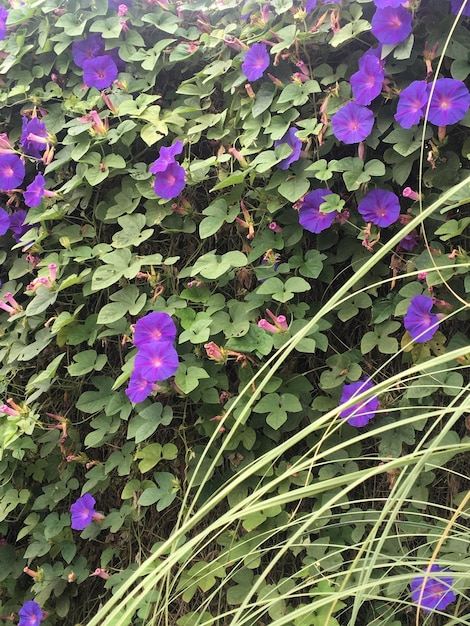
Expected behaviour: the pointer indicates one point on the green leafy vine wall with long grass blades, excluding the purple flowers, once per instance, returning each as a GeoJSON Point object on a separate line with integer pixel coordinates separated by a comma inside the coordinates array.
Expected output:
{"type": "Point", "coordinates": [235, 492]}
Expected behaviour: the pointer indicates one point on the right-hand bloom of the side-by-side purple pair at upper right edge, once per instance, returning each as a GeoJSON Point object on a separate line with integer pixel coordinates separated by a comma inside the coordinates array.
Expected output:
{"type": "Point", "coordinates": [449, 102]}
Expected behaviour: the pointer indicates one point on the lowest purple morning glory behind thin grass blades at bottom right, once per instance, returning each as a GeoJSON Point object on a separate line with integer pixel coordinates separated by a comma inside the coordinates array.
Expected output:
{"type": "Point", "coordinates": [431, 592]}
